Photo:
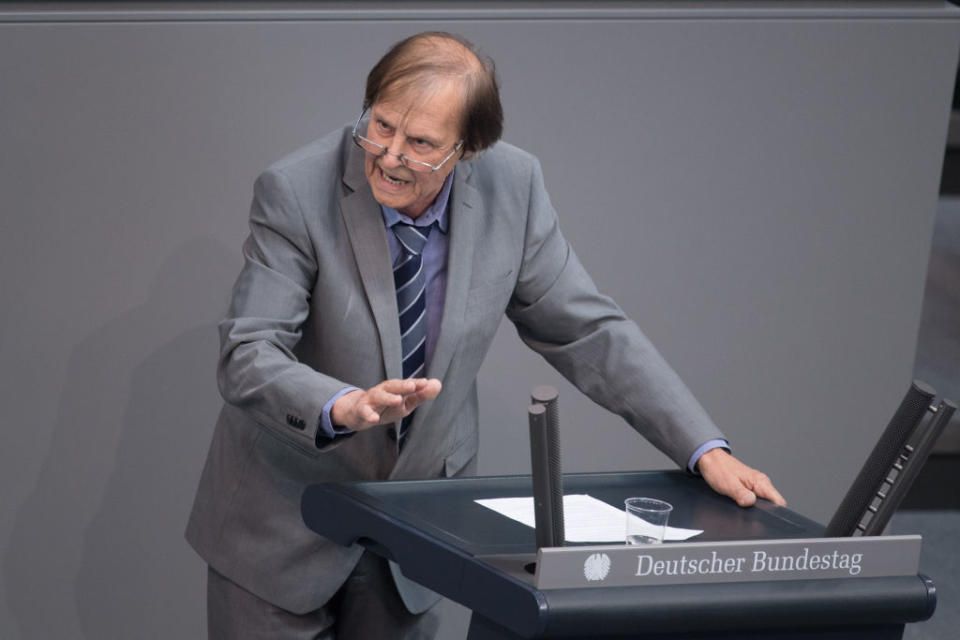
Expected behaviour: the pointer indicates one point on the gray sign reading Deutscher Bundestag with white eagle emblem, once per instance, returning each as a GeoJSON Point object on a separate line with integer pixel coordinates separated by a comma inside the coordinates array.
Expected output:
{"type": "Point", "coordinates": [738, 561]}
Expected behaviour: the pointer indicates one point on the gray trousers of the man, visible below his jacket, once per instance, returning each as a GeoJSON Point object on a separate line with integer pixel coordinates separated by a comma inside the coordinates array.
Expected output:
{"type": "Point", "coordinates": [367, 606]}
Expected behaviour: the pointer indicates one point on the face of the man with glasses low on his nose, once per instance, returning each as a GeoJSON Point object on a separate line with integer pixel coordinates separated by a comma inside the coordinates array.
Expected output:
{"type": "Point", "coordinates": [422, 126]}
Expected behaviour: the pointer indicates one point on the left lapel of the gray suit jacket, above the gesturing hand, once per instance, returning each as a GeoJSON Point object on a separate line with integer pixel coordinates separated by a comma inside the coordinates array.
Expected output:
{"type": "Point", "coordinates": [368, 236]}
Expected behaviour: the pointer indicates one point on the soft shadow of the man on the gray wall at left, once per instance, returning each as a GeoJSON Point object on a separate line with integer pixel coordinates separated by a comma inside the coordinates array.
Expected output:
{"type": "Point", "coordinates": [97, 550]}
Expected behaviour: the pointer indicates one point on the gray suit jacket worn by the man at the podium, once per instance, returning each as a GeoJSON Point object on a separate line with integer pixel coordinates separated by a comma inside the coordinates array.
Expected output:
{"type": "Point", "coordinates": [314, 310]}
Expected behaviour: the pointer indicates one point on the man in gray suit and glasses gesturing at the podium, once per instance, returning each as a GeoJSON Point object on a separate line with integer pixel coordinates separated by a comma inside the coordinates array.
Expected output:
{"type": "Point", "coordinates": [380, 261]}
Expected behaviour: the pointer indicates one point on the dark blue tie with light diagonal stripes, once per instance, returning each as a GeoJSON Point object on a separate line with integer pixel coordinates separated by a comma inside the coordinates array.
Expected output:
{"type": "Point", "coordinates": [411, 285]}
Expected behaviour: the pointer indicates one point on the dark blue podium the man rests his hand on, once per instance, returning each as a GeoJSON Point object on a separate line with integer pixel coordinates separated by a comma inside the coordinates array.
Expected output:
{"type": "Point", "coordinates": [443, 540]}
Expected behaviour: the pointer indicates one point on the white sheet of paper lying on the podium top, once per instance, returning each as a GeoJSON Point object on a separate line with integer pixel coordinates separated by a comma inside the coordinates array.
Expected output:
{"type": "Point", "coordinates": [585, 519]}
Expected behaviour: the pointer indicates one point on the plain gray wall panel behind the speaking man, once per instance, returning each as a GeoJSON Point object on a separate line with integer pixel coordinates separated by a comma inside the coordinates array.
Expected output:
{"type": "Point", "coordinates": [755, 187]}
